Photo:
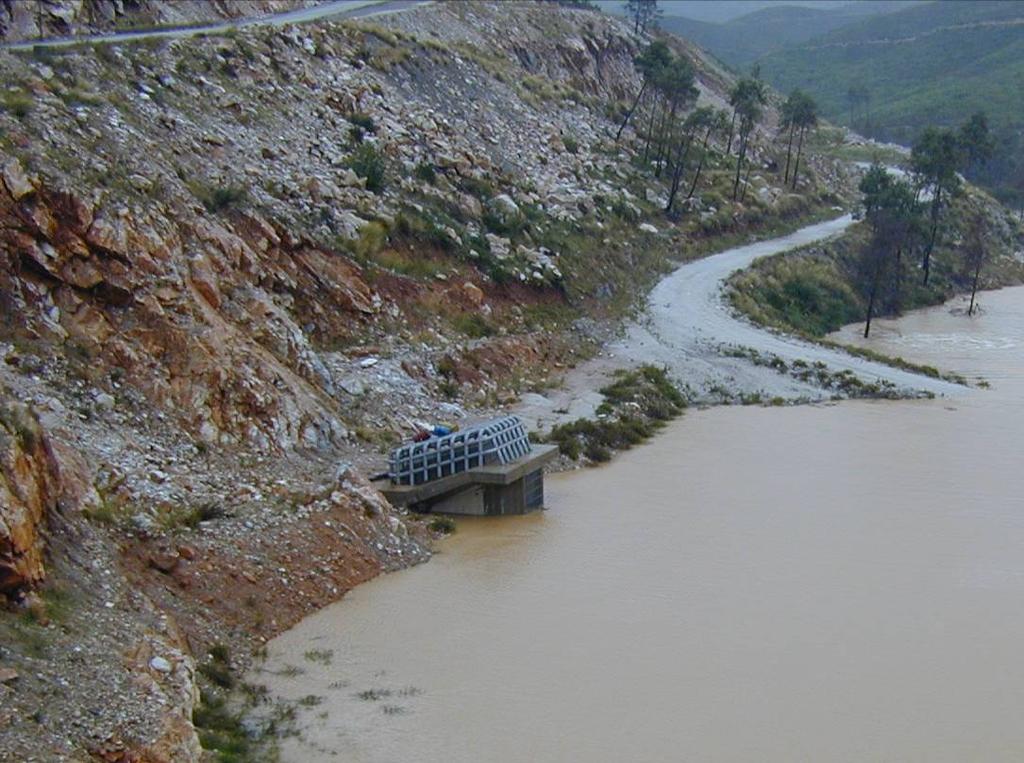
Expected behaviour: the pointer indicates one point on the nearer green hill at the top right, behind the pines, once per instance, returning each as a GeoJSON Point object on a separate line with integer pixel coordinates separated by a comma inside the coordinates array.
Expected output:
{"type": "Point", "coordinates": [931, 64]}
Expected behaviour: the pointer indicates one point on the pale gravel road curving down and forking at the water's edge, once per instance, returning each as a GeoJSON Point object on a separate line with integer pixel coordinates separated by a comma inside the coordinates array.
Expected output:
{"type": "Point", "coordinates": [685, 327]}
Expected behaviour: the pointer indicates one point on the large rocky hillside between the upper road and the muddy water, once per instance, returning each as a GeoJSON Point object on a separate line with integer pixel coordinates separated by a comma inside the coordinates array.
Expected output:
{"type": "Point", "coordinates": [232, 264]}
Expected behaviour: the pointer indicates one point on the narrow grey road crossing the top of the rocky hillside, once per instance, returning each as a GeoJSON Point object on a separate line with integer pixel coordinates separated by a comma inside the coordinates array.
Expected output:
{"type": "Point", "coordinates": [330, 10]}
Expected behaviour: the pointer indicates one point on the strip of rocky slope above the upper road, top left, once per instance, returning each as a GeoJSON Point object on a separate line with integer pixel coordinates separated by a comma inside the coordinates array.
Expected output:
{"type": "Point", "coordinates": [28, 20]}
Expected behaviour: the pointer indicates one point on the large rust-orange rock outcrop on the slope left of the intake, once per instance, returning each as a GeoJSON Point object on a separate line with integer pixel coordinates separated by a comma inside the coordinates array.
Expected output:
{"type": "Point", "coordinates": [149, 298]}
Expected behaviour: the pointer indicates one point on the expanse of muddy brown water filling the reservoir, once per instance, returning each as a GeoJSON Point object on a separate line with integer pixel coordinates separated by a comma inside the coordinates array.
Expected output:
{"type": "Point", "coordinates": [841, 582]}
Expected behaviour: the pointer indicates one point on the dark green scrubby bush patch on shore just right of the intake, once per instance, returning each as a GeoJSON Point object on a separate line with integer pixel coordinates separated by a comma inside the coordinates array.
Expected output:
{"type": "Point", "coordinates": [636, 405]}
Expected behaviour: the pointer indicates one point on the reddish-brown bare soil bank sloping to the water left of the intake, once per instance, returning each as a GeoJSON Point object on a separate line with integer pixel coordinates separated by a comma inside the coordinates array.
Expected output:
{"type": "Point", "coordinates": [254, 582]}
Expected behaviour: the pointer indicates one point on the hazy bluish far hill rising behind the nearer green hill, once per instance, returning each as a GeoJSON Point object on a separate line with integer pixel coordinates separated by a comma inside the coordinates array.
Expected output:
{"type": "Point", "coordinates": [741, 41]}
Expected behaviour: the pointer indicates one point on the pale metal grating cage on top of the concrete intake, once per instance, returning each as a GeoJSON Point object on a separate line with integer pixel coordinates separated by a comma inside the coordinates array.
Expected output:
{"type": "Point", "coordinates": [499, 442]}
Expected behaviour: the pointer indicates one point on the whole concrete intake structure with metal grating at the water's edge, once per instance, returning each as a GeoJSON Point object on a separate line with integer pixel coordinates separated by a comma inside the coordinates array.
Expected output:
{"type": "Point", "coordinates": [490, 470]}
